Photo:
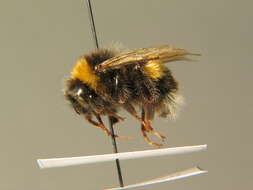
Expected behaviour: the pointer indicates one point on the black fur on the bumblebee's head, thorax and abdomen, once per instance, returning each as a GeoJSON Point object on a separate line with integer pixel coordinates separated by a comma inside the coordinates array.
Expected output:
{"type": "Point", "coordinates": [116, 87]}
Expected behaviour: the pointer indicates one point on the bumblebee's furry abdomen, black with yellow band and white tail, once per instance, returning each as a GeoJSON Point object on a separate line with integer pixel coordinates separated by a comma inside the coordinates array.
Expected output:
{"type": "Point", "coordinates": [159, 89]}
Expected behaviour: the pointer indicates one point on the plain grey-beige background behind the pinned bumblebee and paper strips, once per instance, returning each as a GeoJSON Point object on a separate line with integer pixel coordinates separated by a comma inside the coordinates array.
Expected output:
{"type": "Point", "coordinates": [40, 42]}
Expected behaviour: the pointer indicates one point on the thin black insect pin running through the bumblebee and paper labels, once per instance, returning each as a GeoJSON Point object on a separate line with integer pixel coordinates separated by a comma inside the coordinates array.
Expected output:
{"type": "Point", "coordinates": [94, 33]}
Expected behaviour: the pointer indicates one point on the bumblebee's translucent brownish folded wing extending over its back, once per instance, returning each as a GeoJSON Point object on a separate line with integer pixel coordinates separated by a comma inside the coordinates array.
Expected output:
{"type": "Point", "coordinates": [160, 54]}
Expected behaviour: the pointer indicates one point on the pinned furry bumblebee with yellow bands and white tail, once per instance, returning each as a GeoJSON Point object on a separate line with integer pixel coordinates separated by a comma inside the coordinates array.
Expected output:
{"type": "Point", "coordinates": [106, 80]}
